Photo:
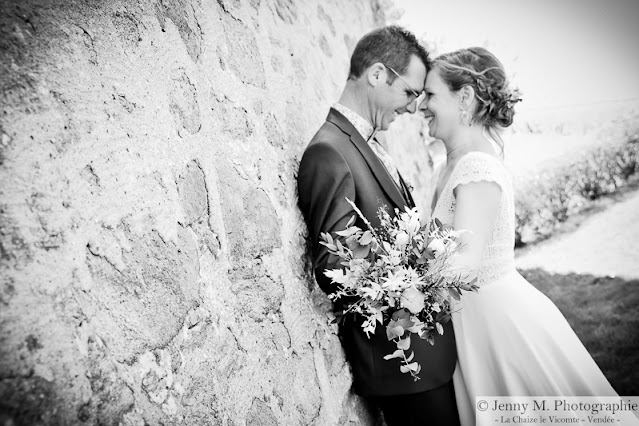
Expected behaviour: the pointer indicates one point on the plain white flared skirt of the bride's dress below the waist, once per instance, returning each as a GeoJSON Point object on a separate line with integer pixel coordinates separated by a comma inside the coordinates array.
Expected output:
{"type": "Point", "coordinates": [513, 341]}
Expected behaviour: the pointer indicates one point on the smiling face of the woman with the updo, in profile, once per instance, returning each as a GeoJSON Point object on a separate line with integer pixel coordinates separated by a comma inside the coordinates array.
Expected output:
{"type": "Point", "coordinates": [440, 107]}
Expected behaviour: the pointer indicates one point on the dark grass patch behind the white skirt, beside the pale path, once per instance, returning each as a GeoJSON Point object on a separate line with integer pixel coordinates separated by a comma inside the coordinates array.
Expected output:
{"type": "Point", "coordinates": [604, 312]}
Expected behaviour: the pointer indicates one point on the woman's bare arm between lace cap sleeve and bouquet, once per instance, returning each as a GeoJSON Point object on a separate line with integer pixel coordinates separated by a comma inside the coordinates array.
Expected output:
{"type": "Point", "coordinates": [477, 206]}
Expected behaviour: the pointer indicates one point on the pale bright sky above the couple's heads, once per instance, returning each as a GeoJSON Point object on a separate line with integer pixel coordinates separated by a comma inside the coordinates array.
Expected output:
{"type": "Point", "coordinates": [558, 52]}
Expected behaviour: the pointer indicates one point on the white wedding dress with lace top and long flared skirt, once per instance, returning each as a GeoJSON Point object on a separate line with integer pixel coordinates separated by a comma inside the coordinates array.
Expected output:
{"type": "Point", "coordinates": [511, 339]}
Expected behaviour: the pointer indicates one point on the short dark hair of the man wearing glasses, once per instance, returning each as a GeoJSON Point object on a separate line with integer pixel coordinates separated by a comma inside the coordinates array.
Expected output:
{"type": "Point", "coordinates": [393, 46]}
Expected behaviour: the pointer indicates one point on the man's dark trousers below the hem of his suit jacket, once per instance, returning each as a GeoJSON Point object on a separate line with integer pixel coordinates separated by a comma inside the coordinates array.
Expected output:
{"type": "Point", "coordinates": [436, 407]}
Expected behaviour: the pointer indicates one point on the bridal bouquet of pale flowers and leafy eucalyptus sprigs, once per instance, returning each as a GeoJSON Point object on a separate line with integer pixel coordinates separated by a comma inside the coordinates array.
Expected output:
{"type": "Point", "coordinates": [400, 275]}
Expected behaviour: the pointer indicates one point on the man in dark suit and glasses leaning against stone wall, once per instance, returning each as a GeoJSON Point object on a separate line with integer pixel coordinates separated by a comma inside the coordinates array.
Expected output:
{"type": "Point", "coordinates": [344, 159]}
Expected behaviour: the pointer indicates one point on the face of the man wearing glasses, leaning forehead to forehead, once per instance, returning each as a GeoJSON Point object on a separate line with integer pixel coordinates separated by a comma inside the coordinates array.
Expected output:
{"type": "Point", "coordinates": [390, 100]}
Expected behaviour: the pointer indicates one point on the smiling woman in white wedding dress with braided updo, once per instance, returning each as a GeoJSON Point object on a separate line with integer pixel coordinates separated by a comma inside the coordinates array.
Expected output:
{"type": "Point", "coordinates": [511, 339]}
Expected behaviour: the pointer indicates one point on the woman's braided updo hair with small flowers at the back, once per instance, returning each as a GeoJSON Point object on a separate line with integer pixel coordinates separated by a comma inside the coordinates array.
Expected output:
{"type": "Point", "coordinates": [480, 69]}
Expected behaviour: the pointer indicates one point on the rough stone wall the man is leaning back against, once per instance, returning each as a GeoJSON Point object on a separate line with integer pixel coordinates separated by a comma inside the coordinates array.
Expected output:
{"type": "Point", "coordinates": [153, 266]}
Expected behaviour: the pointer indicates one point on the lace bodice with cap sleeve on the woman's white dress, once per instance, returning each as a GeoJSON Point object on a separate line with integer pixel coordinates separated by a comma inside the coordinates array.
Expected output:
{"type": "Point", "coordinates": [498, 257]}
